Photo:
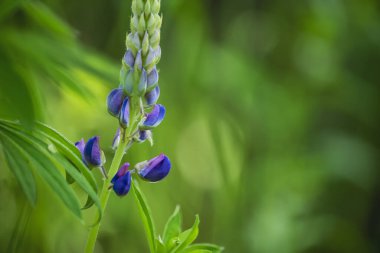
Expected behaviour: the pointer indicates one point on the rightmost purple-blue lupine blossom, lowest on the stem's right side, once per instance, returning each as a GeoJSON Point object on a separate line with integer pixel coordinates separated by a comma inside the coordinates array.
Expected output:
{"type": "Point", "coordinates": [155, 169]}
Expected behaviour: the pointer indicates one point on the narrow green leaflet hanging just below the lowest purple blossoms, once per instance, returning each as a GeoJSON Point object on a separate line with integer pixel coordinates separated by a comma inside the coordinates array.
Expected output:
{"type": "Point", "coordinates": [145, 215]}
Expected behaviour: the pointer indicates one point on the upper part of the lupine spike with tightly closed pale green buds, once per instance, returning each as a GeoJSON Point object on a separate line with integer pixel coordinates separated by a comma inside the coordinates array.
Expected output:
{"type": "Point", "coordinates": [139, 75]}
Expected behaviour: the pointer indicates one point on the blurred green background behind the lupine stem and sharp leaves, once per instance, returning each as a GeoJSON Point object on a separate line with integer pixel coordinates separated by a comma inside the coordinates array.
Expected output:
{"type": "Point", "coordinates": [272, 120]}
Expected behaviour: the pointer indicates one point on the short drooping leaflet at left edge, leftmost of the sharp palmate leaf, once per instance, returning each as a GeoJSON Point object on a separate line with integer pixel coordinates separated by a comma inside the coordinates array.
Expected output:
{"type": "Point", "coordinates": [20, 168]}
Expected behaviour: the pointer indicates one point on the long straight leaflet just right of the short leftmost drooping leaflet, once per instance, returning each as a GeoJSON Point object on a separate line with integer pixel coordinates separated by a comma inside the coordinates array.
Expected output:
{"type": "Point", "coordinates": [44, 164]}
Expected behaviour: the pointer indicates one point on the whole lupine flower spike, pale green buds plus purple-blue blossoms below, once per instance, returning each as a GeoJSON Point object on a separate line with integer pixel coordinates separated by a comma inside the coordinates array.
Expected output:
{"type": "Point", "coordinates": [134, 102]}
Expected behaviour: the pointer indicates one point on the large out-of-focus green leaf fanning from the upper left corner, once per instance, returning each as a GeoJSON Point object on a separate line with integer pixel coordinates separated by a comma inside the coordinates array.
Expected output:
{"type": "Point", "coordinates": [37, 56]}
